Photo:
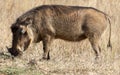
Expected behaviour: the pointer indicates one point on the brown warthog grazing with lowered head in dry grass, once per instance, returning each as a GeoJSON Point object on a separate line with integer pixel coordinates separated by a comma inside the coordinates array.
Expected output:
{"type": "Point", "coordinates": [49, 22]}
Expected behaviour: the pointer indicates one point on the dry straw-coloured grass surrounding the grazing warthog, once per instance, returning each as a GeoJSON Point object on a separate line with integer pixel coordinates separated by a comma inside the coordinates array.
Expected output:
{"type": "Point", "coordinates": [66, 58]}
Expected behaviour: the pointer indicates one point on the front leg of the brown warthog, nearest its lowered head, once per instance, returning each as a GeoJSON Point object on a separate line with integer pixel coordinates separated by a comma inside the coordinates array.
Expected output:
{"type": "Point", "coordinates": [46, 47]}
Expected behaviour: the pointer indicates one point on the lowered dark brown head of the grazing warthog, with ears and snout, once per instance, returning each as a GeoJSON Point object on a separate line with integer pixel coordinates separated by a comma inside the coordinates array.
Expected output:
{"type": "Point", "coordinates": [22, 36]}
